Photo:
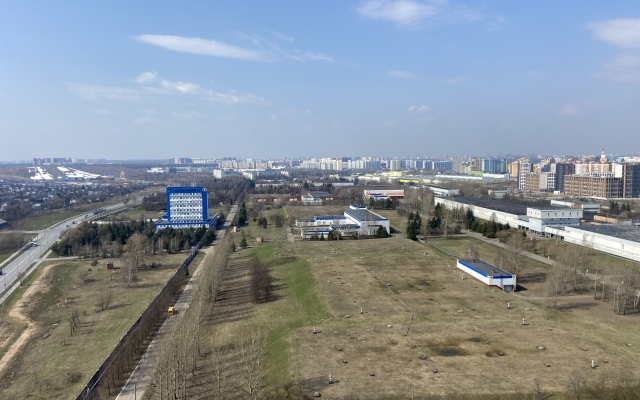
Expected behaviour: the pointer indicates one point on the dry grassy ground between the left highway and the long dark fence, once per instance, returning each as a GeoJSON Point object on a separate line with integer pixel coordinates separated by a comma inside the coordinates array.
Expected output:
{"type": "Point", "coordinates": [61, 361]}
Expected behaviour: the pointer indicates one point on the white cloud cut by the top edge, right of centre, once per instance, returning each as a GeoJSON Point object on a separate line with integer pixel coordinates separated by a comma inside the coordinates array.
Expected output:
{"type": "Point", "coordinates": [404, 12]}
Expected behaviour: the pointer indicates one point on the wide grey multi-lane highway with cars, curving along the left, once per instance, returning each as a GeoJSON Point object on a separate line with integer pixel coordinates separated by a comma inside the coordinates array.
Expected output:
{"type": "Point", "coordinates": [29, 259]}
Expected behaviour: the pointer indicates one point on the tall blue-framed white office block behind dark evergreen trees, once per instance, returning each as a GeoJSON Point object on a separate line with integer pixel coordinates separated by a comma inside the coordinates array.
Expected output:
{"type": "Point", "coordinates": [187, 207]}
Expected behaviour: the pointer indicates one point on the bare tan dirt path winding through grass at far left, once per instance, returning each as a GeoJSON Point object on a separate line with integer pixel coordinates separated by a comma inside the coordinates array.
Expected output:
{"type": "Point", "coordinates": [18, 313]}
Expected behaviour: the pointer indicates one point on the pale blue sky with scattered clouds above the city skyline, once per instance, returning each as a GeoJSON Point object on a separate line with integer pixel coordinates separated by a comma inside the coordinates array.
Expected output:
{"type": "Point", "coordinates": [273, 79]}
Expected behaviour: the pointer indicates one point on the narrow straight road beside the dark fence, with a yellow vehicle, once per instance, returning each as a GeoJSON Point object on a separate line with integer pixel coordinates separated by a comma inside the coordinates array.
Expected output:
{"type": "Point", "coordinates": [141, 376]}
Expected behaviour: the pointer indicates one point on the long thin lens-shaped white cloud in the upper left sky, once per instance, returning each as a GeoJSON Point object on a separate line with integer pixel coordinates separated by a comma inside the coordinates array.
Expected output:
{"type": "Point", "coordinates": [200, 46]}
